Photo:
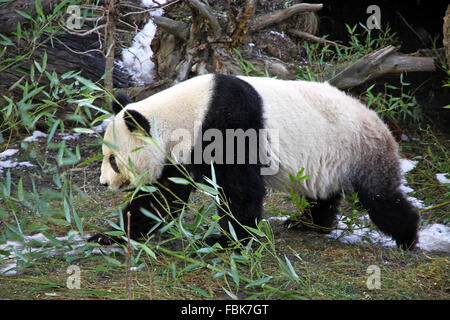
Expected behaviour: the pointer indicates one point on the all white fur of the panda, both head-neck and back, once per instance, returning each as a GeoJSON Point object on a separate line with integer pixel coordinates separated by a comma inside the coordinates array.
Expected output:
{"type": "Point", "coordinates": [320, 129]}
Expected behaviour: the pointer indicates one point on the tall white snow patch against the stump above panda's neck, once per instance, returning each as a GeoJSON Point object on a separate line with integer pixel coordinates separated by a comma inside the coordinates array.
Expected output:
{"type": "Point", "coordinates": [137, 59]}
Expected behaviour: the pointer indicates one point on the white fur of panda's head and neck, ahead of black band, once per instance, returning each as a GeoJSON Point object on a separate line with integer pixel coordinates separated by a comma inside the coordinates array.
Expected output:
{"type": "Point", "coordinates": [189, 105]}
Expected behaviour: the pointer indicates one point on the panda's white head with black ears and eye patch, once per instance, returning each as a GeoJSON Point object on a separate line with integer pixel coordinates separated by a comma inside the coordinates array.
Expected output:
{"type": "Point", "coordinates": [125, 154]}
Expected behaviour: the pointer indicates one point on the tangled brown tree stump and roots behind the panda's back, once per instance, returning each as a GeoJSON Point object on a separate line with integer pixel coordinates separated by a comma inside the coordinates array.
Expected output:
{"type": "Point", "coordinates": [205, 37]}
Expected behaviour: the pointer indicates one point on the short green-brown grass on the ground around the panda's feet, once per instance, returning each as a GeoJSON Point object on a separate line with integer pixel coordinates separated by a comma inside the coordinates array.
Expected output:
{"type": "Point", "coordinates": [325, 268]}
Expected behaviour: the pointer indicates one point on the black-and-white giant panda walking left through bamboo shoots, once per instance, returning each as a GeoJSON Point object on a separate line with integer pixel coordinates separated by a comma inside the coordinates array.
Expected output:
{"type": "Point", "coordinates": [341, 144]}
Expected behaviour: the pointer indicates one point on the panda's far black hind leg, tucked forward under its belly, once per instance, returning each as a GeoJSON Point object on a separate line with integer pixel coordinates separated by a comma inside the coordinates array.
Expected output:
{"type": "Point", "coordinates": [320, 215]}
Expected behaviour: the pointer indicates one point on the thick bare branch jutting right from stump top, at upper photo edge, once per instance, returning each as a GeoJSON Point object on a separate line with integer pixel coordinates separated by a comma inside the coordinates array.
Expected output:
{"type": "Point", "coordinates": [280, 15]}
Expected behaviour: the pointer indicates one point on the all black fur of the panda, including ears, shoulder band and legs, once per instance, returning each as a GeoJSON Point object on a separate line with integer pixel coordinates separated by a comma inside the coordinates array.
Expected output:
{"type": "Point", "coordinates": [235, 104]}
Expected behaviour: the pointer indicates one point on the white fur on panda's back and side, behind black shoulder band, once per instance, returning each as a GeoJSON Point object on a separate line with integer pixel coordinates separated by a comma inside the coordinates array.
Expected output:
{"type": "Point", "coordinates": [320, 129]}
